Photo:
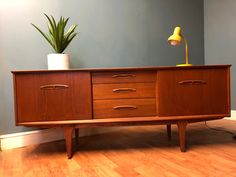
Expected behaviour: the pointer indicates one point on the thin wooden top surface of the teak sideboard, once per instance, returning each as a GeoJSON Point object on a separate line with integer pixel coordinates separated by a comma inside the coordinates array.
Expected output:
{"type": "Point", "coordinates": [129, 68]}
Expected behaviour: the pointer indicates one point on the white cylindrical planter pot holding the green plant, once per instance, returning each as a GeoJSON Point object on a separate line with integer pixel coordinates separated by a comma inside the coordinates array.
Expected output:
{"type": "Point", "coordinates": [57, 61]}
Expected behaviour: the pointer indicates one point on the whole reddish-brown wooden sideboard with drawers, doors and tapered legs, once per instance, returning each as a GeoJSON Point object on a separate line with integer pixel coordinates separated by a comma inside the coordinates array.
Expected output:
{"type": "Point", "coordinates": [121, 97]}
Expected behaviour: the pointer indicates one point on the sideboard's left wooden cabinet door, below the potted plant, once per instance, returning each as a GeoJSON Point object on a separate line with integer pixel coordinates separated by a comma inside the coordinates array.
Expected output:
{"type": "Point", "coordinates": [52, 96]}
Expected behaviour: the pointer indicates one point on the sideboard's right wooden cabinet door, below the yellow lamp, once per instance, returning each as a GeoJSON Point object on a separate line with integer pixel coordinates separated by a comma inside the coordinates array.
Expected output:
{"type": "Point", "coordinates": [193, 92]}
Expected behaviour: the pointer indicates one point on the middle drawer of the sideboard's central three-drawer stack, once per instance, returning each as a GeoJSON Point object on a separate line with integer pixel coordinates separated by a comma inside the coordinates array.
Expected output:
{"type": "Point", "coordinates": [124, 90]}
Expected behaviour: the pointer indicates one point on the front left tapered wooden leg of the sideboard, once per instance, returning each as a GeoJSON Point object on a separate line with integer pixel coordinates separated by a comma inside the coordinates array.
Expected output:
{"type": "Point", "coordinates": [68, 131]}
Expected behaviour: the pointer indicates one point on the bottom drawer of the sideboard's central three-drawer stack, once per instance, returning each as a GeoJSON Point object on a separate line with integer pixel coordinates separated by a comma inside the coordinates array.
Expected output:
{"type": "Point", "coordinates": [124, 108]}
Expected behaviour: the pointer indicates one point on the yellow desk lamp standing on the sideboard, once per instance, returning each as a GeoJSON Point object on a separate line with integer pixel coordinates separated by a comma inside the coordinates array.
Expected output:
{"type": "Point", "coordinates": [175, 39]}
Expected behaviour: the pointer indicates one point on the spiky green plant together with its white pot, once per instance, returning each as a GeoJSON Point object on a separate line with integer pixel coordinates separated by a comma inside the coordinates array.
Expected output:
{"type": "Point", "coordinates": [59, 39]}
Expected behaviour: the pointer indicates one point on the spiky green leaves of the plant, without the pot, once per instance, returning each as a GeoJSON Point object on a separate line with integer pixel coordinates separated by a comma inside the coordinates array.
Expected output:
{"type": "Point", "coordinates": [56, 36]}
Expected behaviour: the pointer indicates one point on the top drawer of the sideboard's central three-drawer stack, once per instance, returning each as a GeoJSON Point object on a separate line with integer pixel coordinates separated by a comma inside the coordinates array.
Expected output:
{"type": "Point", "coordinates": [123, 77]}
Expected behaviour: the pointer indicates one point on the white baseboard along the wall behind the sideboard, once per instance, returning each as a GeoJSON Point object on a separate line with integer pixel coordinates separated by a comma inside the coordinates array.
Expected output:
{"type": "Point", "coordinates": [22, 139]}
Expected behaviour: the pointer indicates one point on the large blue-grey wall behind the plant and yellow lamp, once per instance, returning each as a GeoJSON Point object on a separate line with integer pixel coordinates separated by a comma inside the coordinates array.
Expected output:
{"type": "Point", "coordinates": [113, 33]}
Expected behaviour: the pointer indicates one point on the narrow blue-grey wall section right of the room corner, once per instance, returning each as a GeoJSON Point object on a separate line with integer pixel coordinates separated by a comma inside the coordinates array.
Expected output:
{"type": "Point", "coordinates": [220, 36]}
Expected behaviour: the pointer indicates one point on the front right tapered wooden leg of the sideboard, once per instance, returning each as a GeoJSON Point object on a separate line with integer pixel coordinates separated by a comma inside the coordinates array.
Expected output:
{"type": "Point", "coordinates": [182, 135]}
